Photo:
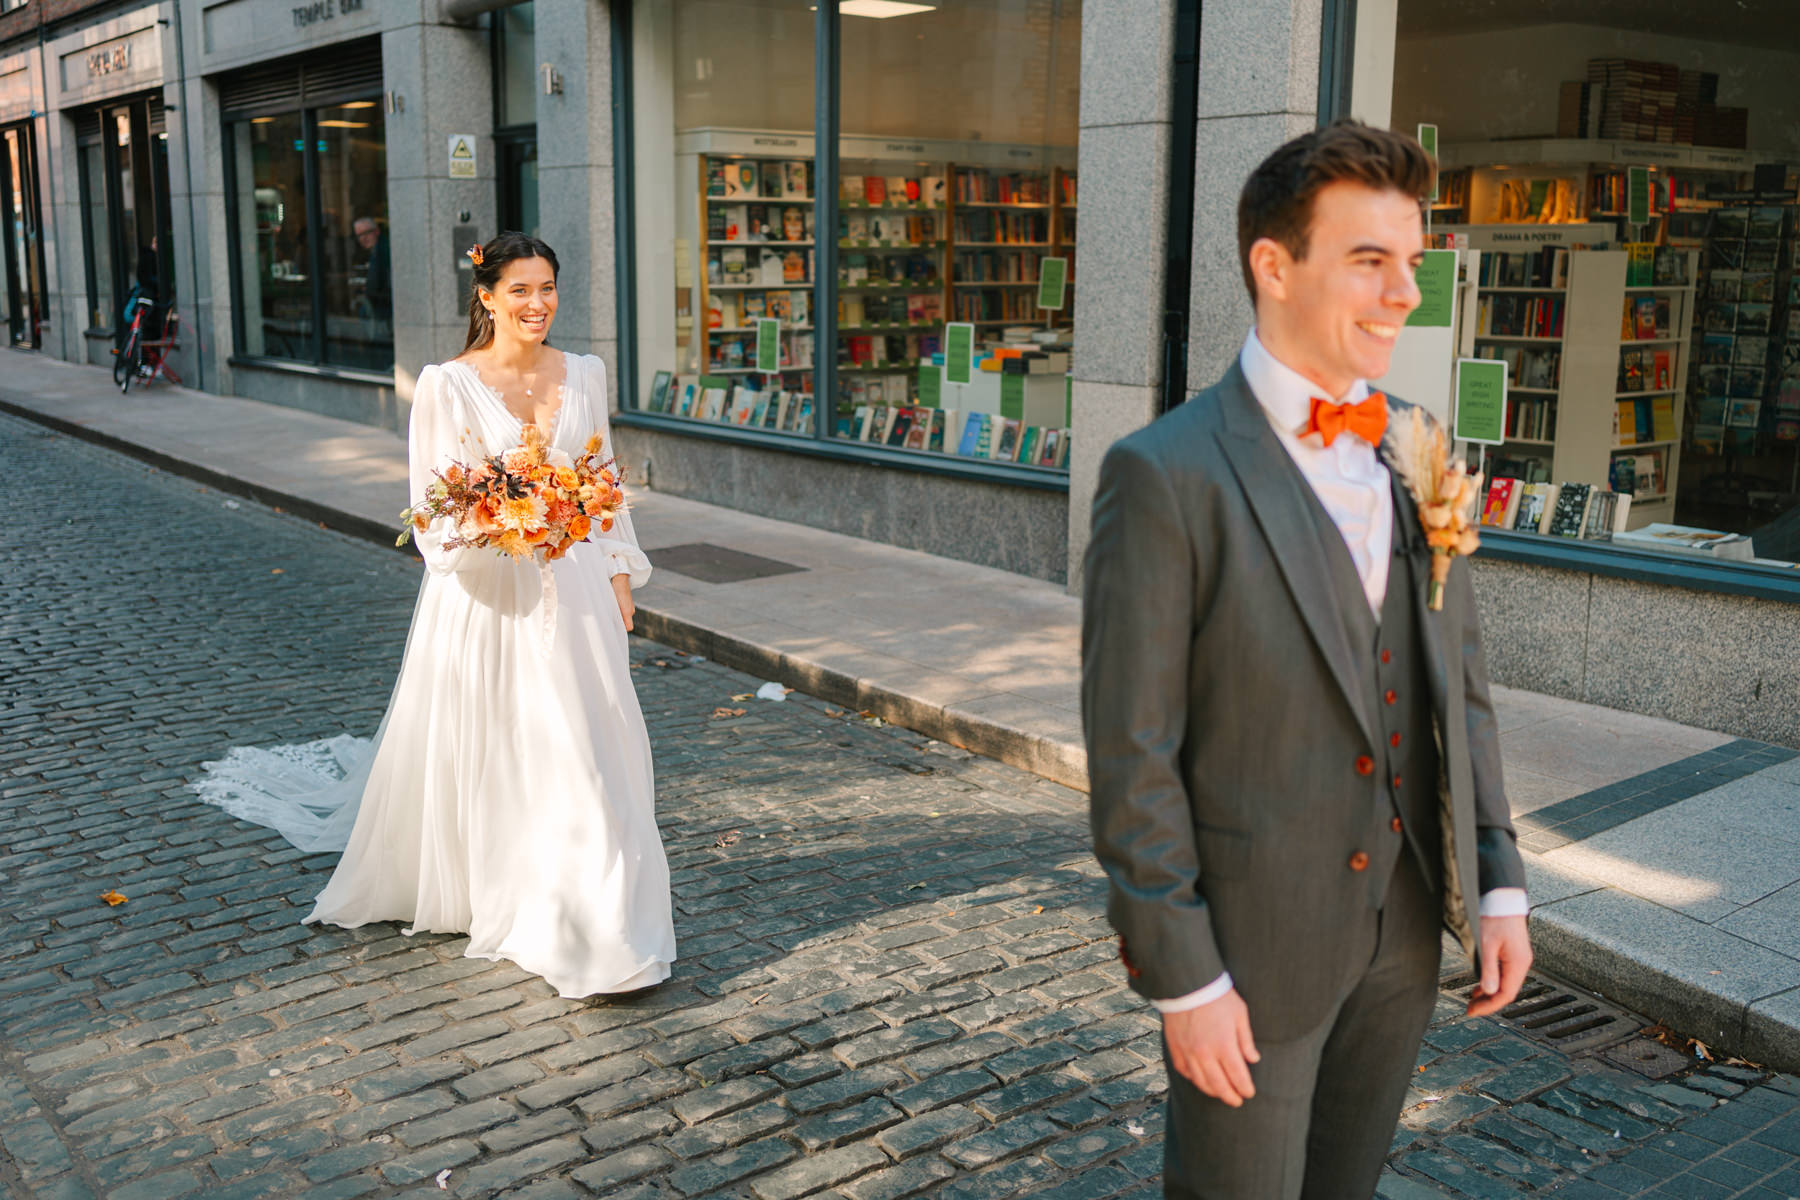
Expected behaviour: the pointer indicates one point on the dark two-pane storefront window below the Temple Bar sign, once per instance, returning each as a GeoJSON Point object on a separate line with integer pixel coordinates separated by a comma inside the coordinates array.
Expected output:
{"type": "Point", "coordinates": [312, 251]}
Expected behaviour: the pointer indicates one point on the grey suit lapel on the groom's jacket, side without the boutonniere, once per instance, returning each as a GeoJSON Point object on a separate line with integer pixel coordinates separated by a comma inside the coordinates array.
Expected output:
{"type": "Point", "coordinates": [1273, 487]}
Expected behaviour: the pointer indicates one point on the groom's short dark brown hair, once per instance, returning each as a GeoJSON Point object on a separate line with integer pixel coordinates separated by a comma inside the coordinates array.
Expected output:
{"type": "Point", "coordinates": [1277, 199]}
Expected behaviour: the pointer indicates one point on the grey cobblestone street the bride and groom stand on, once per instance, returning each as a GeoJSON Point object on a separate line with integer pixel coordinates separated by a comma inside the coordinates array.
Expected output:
{"type": "Point", "coordinates": [895, 972]}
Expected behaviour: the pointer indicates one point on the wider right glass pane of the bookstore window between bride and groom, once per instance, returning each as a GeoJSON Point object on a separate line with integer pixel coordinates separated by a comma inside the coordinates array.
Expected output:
{"type": "Point", "coordinates": [951, 206]}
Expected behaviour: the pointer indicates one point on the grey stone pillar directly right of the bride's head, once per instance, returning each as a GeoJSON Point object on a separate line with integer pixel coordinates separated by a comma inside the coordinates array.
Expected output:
{"type": "Point", "coordinates": [577, 175]}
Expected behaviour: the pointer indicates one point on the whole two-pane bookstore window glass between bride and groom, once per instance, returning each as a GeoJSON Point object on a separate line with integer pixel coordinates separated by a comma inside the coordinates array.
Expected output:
{"type": "Point", "coordinates": [951, 312]}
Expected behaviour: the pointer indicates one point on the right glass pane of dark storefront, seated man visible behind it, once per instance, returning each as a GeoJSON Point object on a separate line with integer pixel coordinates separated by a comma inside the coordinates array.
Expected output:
{"type": "Point", "coordinates": [357, 262]}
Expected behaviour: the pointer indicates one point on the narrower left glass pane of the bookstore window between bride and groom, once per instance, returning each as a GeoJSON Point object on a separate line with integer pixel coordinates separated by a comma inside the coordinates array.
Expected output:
{"type": "Point", "coordinates": [728, 136]}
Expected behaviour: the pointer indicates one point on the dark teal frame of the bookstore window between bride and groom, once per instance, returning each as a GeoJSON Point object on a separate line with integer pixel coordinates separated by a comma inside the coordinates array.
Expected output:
{"type": "Point", "coordinates": [820, 442]}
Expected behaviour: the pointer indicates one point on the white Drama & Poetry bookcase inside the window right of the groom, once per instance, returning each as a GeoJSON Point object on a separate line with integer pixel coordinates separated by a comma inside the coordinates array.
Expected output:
{"type": "Point", "coordinates": [1588, 384]}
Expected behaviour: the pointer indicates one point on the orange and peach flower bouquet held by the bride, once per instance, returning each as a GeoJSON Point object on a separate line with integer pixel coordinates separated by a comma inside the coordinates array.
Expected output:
{"type": "Point", "coordinates": [530, 501]}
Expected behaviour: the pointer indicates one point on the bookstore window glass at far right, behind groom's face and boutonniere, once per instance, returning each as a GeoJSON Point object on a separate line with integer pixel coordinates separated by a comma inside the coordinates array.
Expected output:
{"type": "Point", "coordinates": [1626, 206]}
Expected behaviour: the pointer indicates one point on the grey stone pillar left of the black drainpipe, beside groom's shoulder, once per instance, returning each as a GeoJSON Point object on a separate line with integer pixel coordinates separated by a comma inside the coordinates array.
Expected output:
{"type": "Point", "coordinates": [1128, 58]}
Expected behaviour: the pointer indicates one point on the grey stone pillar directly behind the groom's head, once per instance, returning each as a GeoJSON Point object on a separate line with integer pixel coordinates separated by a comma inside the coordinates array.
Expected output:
{"type": "Point", "coordinates": [1259, 87]}
